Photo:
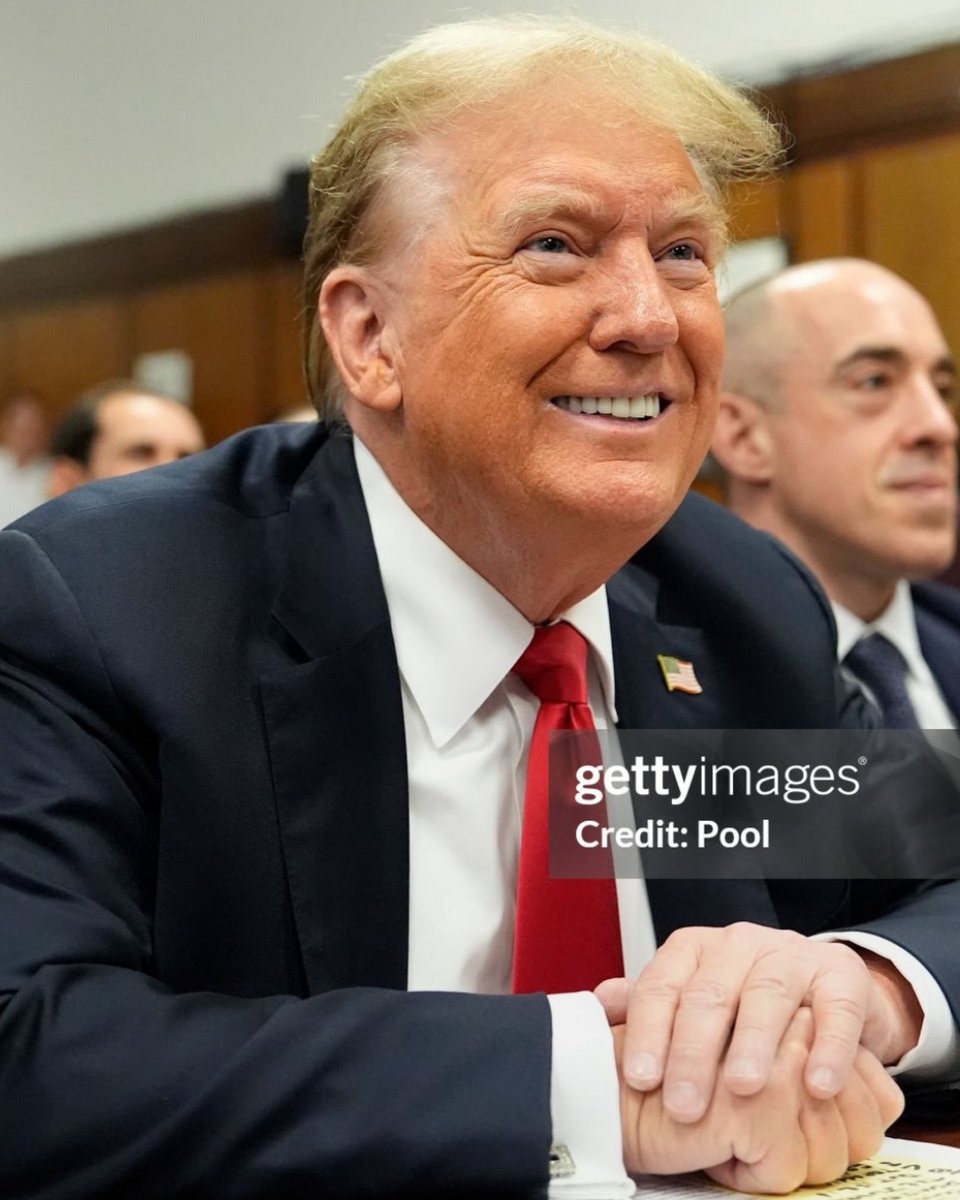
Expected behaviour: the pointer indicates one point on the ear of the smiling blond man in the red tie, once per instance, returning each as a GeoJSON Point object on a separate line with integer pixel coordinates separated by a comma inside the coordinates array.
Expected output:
{"type": "Point", "coordinates": [352, 313]}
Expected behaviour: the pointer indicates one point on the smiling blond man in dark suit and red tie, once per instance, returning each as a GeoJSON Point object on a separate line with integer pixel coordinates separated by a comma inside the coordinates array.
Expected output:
{"type": "Point", "coordinates": [265, 746]}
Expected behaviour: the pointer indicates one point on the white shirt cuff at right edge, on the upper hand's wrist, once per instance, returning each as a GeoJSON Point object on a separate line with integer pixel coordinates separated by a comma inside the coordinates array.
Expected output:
{"type": "Point", "coordinates": [938, 1052]}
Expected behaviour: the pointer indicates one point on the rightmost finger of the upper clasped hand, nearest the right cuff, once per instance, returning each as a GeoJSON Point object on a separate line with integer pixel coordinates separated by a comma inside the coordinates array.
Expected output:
{"type": "Point", "coordinates": [841, 1000]}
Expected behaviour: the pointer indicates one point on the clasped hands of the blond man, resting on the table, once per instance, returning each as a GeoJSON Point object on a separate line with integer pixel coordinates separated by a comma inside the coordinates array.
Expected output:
{"type": "Point", "coordinates": [757, 1055]}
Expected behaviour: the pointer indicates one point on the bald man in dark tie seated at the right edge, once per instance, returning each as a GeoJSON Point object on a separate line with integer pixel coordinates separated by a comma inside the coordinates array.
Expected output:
{"type": "Point", "coordinates": [838, 436]}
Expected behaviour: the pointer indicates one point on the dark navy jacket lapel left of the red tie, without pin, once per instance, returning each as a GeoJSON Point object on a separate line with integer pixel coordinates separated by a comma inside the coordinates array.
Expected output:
{"type": "Point", "coordinates": [334, 727]}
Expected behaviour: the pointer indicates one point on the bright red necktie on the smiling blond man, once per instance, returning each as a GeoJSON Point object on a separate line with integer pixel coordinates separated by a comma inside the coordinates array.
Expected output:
{"type": "Point", "coordinates": [568, 931]}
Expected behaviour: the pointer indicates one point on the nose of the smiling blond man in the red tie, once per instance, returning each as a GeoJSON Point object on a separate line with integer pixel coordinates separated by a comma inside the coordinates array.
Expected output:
{"type": "Point", "coordinates": [635, 309]}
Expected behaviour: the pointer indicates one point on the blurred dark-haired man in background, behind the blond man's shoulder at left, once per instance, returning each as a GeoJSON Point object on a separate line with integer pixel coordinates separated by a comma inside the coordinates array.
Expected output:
{"type": "Point", "coordinates": [119, 428]}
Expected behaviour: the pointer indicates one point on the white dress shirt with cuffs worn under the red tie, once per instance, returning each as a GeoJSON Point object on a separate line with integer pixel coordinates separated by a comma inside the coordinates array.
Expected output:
{"type": "Point", "coordinates": [469, 730]}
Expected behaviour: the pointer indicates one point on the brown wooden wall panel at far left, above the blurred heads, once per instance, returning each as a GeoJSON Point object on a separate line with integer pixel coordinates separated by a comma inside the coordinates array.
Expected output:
{"type": "Point", "coordinates": [62, 350]}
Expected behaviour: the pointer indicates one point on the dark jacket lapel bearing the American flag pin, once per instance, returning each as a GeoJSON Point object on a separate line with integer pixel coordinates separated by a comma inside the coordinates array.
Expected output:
{"type": "Point", "coordinates": [644, 701]}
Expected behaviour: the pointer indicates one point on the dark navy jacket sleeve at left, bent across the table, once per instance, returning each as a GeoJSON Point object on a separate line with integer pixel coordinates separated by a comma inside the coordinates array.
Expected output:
{"type": "Point", "coordinates": [115, 1085]}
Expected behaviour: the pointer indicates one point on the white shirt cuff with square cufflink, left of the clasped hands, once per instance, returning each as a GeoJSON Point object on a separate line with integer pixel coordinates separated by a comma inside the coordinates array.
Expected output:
{"type": "Point", "coordinates": [585, 1101]}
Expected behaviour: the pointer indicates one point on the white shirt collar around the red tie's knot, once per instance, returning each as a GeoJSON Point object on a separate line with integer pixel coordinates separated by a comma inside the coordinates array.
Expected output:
{"type": "Point", "coordinates": [442, 611]}
